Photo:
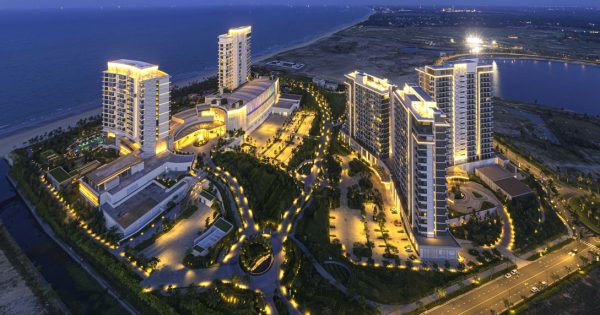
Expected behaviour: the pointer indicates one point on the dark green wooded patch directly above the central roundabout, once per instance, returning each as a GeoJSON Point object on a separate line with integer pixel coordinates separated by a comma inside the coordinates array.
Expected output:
{"type": "Point", "coordinates": [270, 191]}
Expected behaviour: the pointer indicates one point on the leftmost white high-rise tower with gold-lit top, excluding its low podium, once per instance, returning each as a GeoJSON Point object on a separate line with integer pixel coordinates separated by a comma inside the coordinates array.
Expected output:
{"type": "Point", "coordinates": [135, 106]}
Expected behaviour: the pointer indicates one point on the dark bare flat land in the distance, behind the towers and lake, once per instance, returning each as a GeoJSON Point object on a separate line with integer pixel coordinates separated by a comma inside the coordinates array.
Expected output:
{"type": "Point", "coordinates": [394, 52]}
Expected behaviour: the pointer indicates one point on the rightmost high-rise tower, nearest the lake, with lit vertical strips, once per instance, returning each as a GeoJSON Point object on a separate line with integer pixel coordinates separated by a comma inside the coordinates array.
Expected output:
{"type": "Point", "coordinates": [463, 92]}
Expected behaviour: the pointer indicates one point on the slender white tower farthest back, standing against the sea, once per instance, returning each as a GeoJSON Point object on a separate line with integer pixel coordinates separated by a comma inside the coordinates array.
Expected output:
{"type": "Point", "coordinates": [234, 58]}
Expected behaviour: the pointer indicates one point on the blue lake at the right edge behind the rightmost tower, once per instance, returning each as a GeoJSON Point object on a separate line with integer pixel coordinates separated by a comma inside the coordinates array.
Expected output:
{"type": "Point", "coordinates": [572, 86]}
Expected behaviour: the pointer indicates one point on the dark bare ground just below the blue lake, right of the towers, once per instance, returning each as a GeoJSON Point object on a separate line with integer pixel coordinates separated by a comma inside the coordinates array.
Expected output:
{"type": "Point", "coordinates": [566, 142]}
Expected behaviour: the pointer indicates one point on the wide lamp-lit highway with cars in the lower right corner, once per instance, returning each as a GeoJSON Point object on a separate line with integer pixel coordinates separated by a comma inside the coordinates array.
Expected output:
{"type": "Point", "coordinates": [499, 294]}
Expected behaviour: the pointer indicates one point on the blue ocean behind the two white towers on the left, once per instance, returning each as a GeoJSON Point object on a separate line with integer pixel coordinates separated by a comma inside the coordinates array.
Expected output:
{"type": "Point", "coordinates": [51, 61]}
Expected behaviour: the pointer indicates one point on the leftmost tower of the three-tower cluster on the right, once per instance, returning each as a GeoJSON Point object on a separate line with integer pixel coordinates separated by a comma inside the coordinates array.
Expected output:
{"type": "Point", "coordinates": [368, 112]}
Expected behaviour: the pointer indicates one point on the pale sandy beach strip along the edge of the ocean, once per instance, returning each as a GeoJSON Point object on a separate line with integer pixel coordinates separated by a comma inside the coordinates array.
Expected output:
{"type": "Point", "coordinates": [14, 140]}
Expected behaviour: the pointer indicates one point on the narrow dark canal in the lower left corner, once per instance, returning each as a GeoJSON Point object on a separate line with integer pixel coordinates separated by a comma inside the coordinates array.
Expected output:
{"type": "Point", "coordinates": [74, 286]}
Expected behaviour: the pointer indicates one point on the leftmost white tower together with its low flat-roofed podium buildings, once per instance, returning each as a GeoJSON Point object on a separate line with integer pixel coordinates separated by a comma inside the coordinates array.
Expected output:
{"type": "Point", "coordinates": [135, 120]}
